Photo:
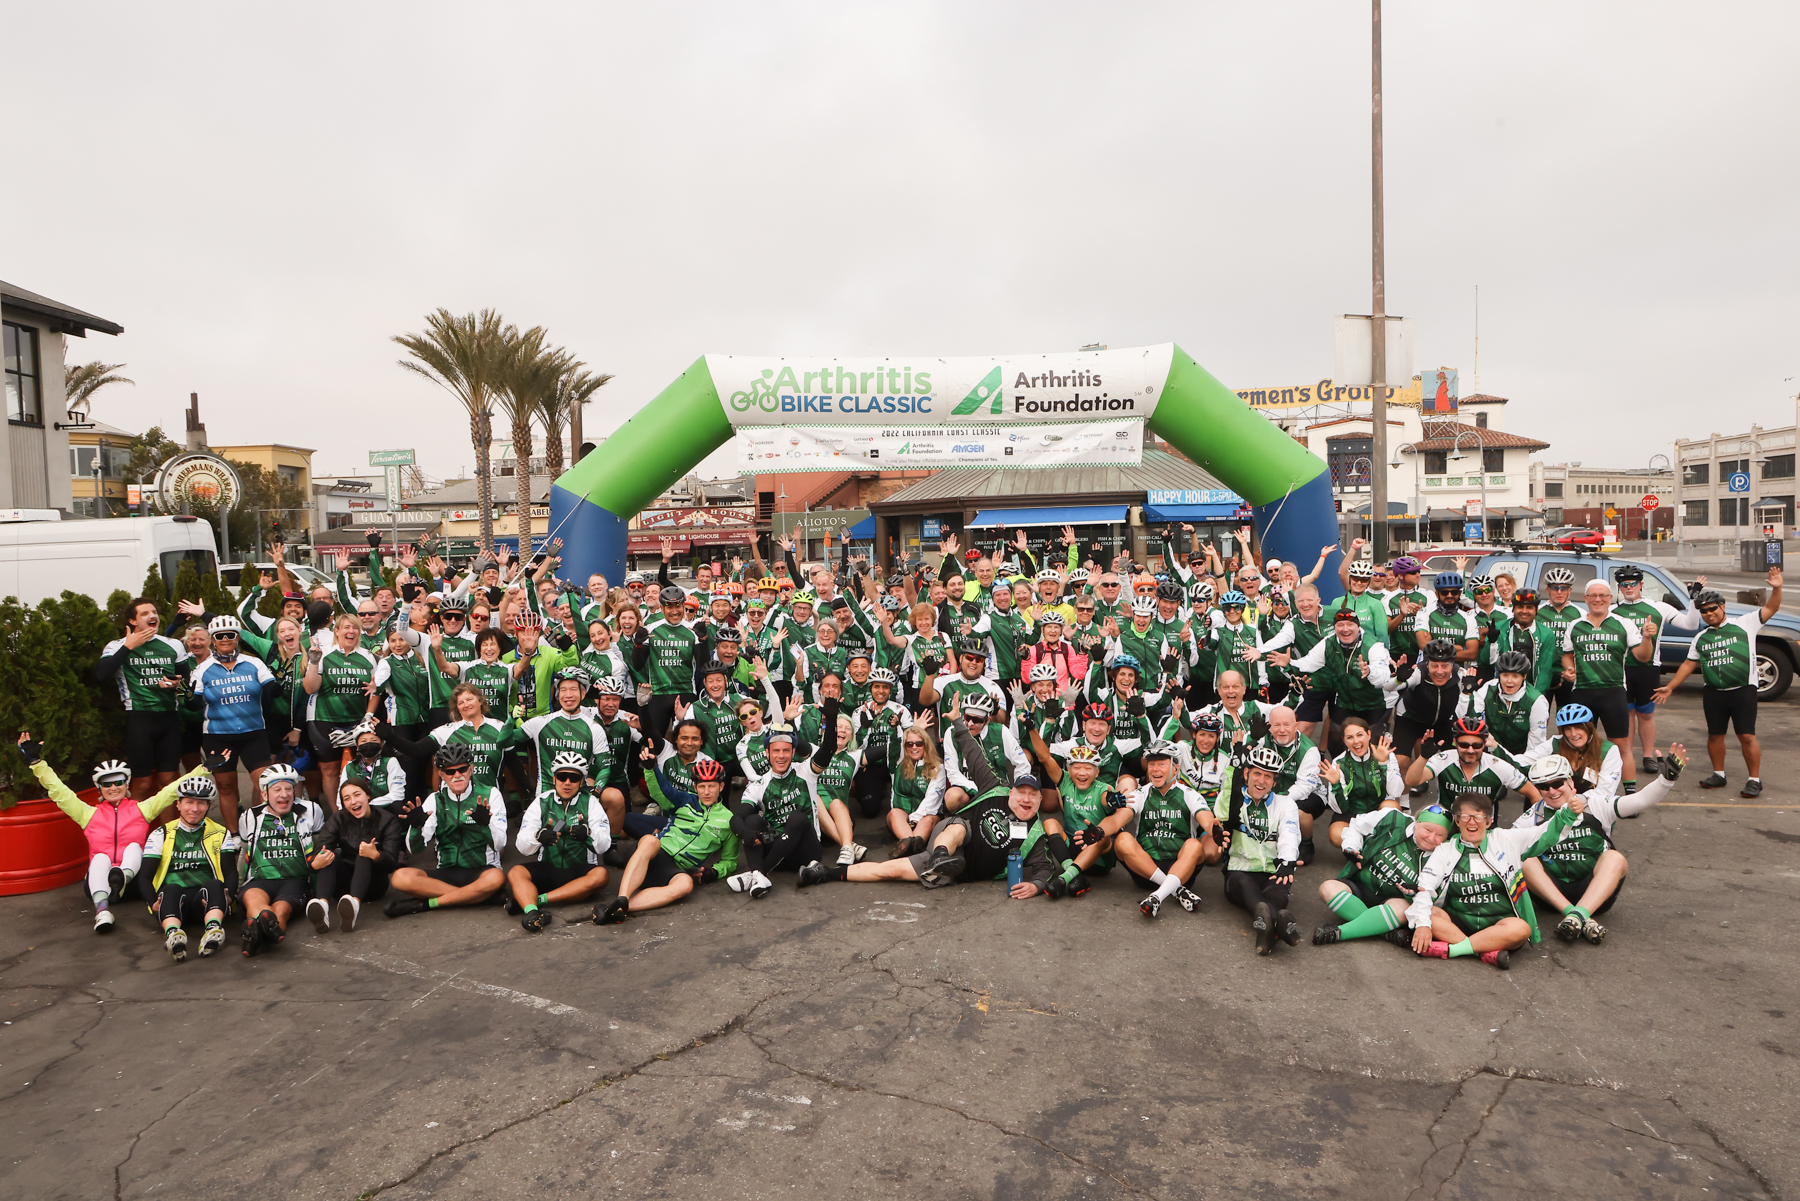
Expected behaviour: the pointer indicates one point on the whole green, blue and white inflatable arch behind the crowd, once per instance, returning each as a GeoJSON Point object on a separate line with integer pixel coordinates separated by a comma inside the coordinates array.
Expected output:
{"type": "Point", "coordinates": [1183, 404]}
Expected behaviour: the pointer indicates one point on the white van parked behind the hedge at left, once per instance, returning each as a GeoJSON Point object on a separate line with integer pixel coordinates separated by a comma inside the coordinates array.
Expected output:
{"type": "Point", "coordinates": [42, 555]}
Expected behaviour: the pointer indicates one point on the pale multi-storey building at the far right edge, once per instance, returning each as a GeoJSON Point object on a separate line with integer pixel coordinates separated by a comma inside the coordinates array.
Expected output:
{"type": "Point", "coordinates": [1729, 482]}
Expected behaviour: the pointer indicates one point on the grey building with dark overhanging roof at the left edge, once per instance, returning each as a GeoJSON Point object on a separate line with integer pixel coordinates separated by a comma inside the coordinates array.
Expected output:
{"type": "Point", "coordinates": [35, 453]}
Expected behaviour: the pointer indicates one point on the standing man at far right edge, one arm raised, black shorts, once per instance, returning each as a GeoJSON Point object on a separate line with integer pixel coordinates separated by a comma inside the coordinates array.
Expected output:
{"type": "Point", "coordinates": [1729, 664]}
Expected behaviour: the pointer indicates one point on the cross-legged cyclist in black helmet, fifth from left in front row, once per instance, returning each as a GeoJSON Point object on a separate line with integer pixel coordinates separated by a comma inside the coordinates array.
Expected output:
{"type": "Point", "coordinates": [467, 824]}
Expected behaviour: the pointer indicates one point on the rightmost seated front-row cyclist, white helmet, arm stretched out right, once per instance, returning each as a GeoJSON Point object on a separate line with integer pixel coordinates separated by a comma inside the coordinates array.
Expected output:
{"type": "Point", "coordinates": [1583, 863]}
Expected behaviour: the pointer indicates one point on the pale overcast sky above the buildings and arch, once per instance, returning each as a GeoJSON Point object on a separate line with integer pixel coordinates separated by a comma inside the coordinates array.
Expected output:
{"type": "Point", "coordinates": [262, 195]}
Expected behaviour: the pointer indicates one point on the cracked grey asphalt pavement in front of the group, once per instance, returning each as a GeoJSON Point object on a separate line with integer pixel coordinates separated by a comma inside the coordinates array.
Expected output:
{"type": "Point", "coordinates": [881, 1040]}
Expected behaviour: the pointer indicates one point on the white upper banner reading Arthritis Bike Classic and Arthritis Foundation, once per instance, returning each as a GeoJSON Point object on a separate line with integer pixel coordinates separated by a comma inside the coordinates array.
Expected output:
{"type": "Point", "coordinates": [1000, 390]}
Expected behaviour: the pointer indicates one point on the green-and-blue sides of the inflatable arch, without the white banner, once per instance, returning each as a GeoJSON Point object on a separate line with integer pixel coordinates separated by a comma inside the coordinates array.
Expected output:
{"type": "Point", "coordinates": [1286, 485]}
